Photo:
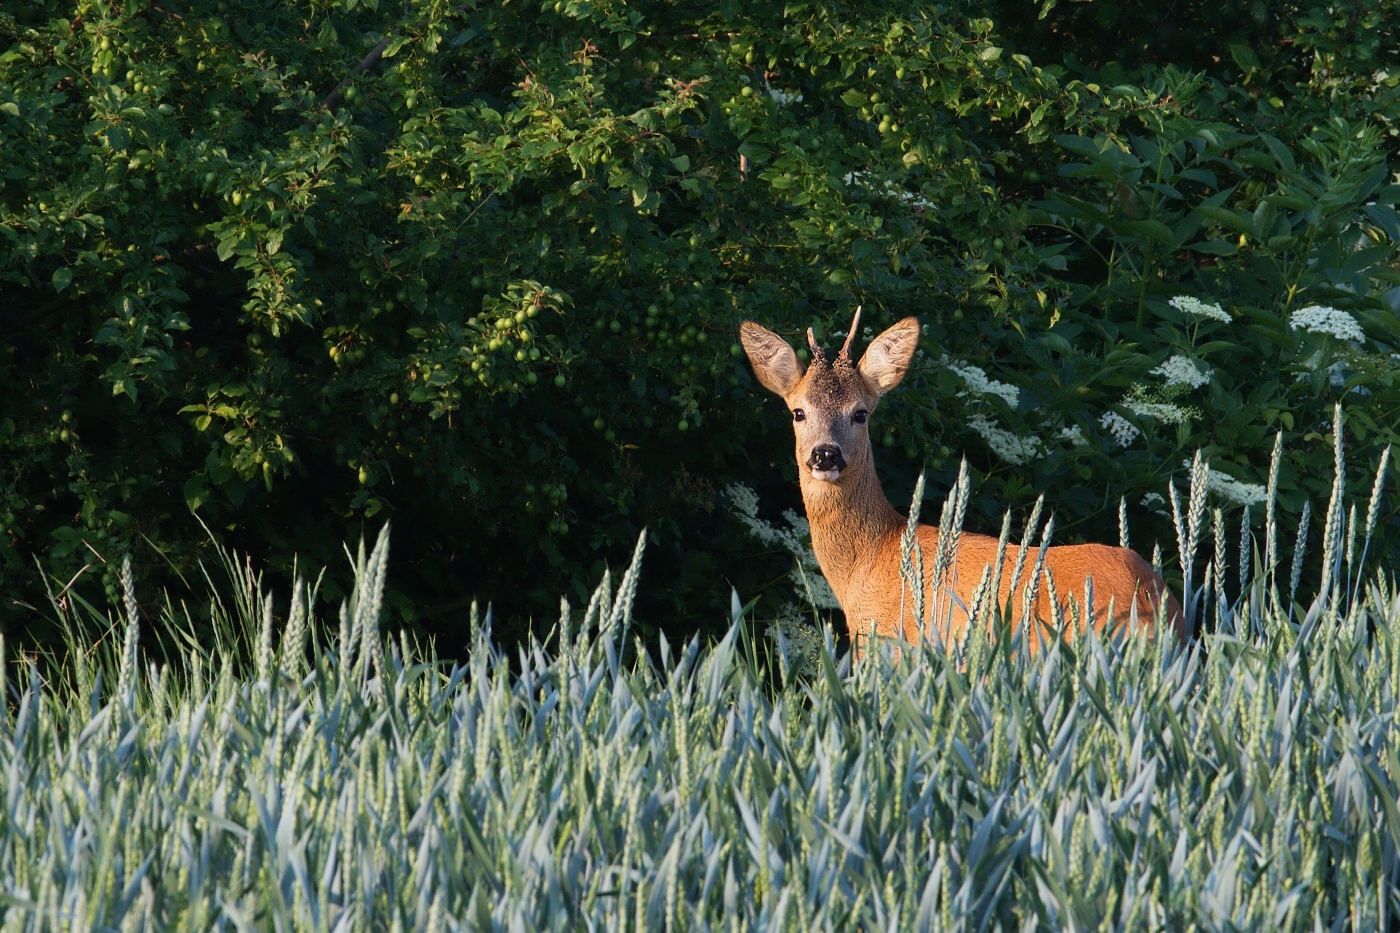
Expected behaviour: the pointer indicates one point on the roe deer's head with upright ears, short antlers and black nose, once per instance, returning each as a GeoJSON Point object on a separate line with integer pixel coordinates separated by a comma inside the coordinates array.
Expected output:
{"type": "Point", "coordinates": [832, 403]}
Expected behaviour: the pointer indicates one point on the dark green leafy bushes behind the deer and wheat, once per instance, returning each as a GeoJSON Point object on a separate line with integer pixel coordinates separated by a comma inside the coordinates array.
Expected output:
{"type": "Point", "coordinates": [493, 295]}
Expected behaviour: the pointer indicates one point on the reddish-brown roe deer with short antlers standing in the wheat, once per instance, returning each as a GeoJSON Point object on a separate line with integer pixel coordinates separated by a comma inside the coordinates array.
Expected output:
{"type": "Point", "coordinates": [856, 533]}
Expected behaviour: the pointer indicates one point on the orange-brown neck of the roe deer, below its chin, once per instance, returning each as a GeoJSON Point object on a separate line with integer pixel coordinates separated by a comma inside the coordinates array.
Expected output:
{"type": "Point", "coordinates": [849, 522]}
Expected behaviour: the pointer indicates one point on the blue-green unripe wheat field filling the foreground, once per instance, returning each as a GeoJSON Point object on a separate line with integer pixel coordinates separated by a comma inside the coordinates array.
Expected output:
{"type": "Point", "coordinates": [1245, 781]}
